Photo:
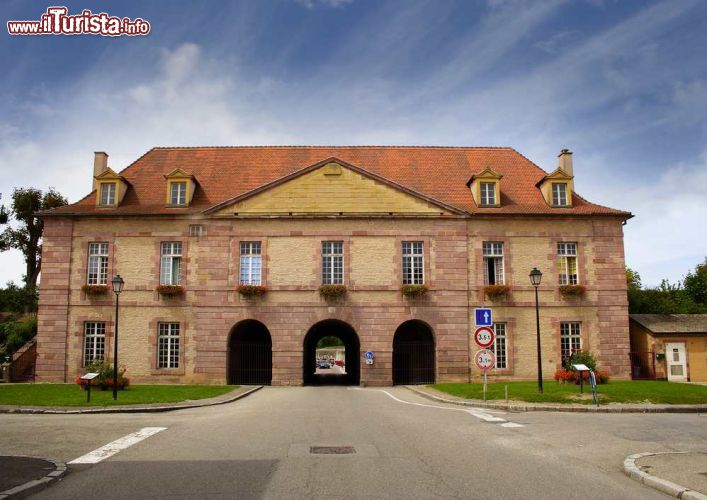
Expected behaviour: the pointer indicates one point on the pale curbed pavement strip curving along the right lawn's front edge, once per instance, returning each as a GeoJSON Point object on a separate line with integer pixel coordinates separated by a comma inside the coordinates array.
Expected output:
{"type": "Point", "coordinates": [572, 408]}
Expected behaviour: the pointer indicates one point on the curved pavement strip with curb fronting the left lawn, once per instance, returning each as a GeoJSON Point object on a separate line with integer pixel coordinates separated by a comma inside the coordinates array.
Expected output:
{"type": "Point", "coordinates": [234, 395]}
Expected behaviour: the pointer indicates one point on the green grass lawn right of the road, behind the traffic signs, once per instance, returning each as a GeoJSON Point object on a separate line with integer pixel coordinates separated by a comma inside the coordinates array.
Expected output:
{"type": "Point", "coordinates": [614, 392]}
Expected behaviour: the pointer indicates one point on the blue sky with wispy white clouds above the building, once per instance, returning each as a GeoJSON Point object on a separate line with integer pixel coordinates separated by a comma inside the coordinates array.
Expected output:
{"type": "Point", "coordinates": [623, 84]}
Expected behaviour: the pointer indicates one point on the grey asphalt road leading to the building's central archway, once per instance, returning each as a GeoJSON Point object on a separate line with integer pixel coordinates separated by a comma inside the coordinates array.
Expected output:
{"type": "Point", "coordinates": [259, 447]}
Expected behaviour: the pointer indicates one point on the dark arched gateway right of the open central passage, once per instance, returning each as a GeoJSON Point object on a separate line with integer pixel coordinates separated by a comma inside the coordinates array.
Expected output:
{"type": "Point", "coordinates": [413, 354]}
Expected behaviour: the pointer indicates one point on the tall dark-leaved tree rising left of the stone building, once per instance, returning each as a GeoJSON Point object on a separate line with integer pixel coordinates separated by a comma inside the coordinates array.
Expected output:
{"type": "Point", "coordinates": [27, 236]}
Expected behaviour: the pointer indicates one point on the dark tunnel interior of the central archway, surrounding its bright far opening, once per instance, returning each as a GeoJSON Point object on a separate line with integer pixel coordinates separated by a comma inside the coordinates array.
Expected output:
{"type": "Point", "coordinates": [352, 346]}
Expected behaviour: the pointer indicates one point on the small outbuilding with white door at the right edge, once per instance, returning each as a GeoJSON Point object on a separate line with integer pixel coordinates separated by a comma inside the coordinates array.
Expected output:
{"type": "Point", "coordinates": [672, 346]}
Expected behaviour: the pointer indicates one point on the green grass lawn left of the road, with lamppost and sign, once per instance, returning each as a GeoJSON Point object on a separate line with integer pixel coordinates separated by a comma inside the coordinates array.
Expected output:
{"type": "Point", "coordinates": [73, 395]}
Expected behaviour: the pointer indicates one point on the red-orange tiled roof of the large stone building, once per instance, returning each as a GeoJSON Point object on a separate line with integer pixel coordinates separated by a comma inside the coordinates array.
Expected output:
{"type": "Point", "coordinates": [439, 173]}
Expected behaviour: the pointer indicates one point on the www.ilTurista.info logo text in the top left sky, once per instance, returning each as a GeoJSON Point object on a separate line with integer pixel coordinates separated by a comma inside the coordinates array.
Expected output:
{"type": "Point", "coordinates": [56, 21]}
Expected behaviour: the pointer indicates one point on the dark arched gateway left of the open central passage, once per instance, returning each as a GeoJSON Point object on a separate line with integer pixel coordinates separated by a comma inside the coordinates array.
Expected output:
{"type": "Point", "coordinates": [249, 354]}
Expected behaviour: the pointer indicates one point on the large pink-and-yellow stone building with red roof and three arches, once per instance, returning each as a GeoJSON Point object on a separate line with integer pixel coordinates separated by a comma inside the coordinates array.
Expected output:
{"type": "Point", "coordinates": [224, 252]}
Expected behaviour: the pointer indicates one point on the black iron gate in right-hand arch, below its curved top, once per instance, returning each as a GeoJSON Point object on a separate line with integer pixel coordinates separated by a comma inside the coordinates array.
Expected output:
{"type": "Point", "coordinates": [413, 363]}
